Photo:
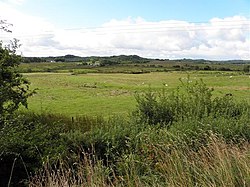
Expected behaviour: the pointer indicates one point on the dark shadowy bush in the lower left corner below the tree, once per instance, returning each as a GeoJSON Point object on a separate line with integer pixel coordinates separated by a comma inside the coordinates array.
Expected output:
{"type": "Point", "coordinates": [29, 139]}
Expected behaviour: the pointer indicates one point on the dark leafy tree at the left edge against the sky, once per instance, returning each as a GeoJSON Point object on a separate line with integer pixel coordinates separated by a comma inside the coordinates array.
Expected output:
{"type": "Point", "coordinates": [14, 88]}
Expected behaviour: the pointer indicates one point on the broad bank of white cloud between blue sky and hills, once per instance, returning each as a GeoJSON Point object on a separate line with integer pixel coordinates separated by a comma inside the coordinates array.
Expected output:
{"type": "Point", "coordinates": [227, 38]}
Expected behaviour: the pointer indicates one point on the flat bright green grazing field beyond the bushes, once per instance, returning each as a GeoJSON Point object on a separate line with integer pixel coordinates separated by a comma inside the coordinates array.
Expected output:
{"type": "Point", "coordinates": [113, 93]}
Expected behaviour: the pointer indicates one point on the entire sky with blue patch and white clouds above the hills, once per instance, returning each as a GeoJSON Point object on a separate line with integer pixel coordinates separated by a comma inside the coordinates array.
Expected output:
{"type": "Point", "coordinates": [209, 29]}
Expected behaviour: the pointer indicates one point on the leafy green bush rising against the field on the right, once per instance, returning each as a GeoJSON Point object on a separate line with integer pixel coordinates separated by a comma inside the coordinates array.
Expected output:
{"type": "Point", "coordinates": [191, 100]}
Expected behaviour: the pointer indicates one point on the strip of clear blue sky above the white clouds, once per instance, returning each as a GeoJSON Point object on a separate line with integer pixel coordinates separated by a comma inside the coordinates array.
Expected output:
{"type": "Point", "coordinates": [87, 13]}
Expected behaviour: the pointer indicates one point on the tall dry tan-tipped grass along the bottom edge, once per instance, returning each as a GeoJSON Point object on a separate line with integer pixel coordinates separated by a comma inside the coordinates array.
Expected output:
{"type": "Point", "coordinates": [216, 164]}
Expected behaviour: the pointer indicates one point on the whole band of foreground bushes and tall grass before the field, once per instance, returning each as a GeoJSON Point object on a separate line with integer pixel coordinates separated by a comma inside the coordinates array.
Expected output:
{"type": "Point", "coordinates": [205, 143]}
